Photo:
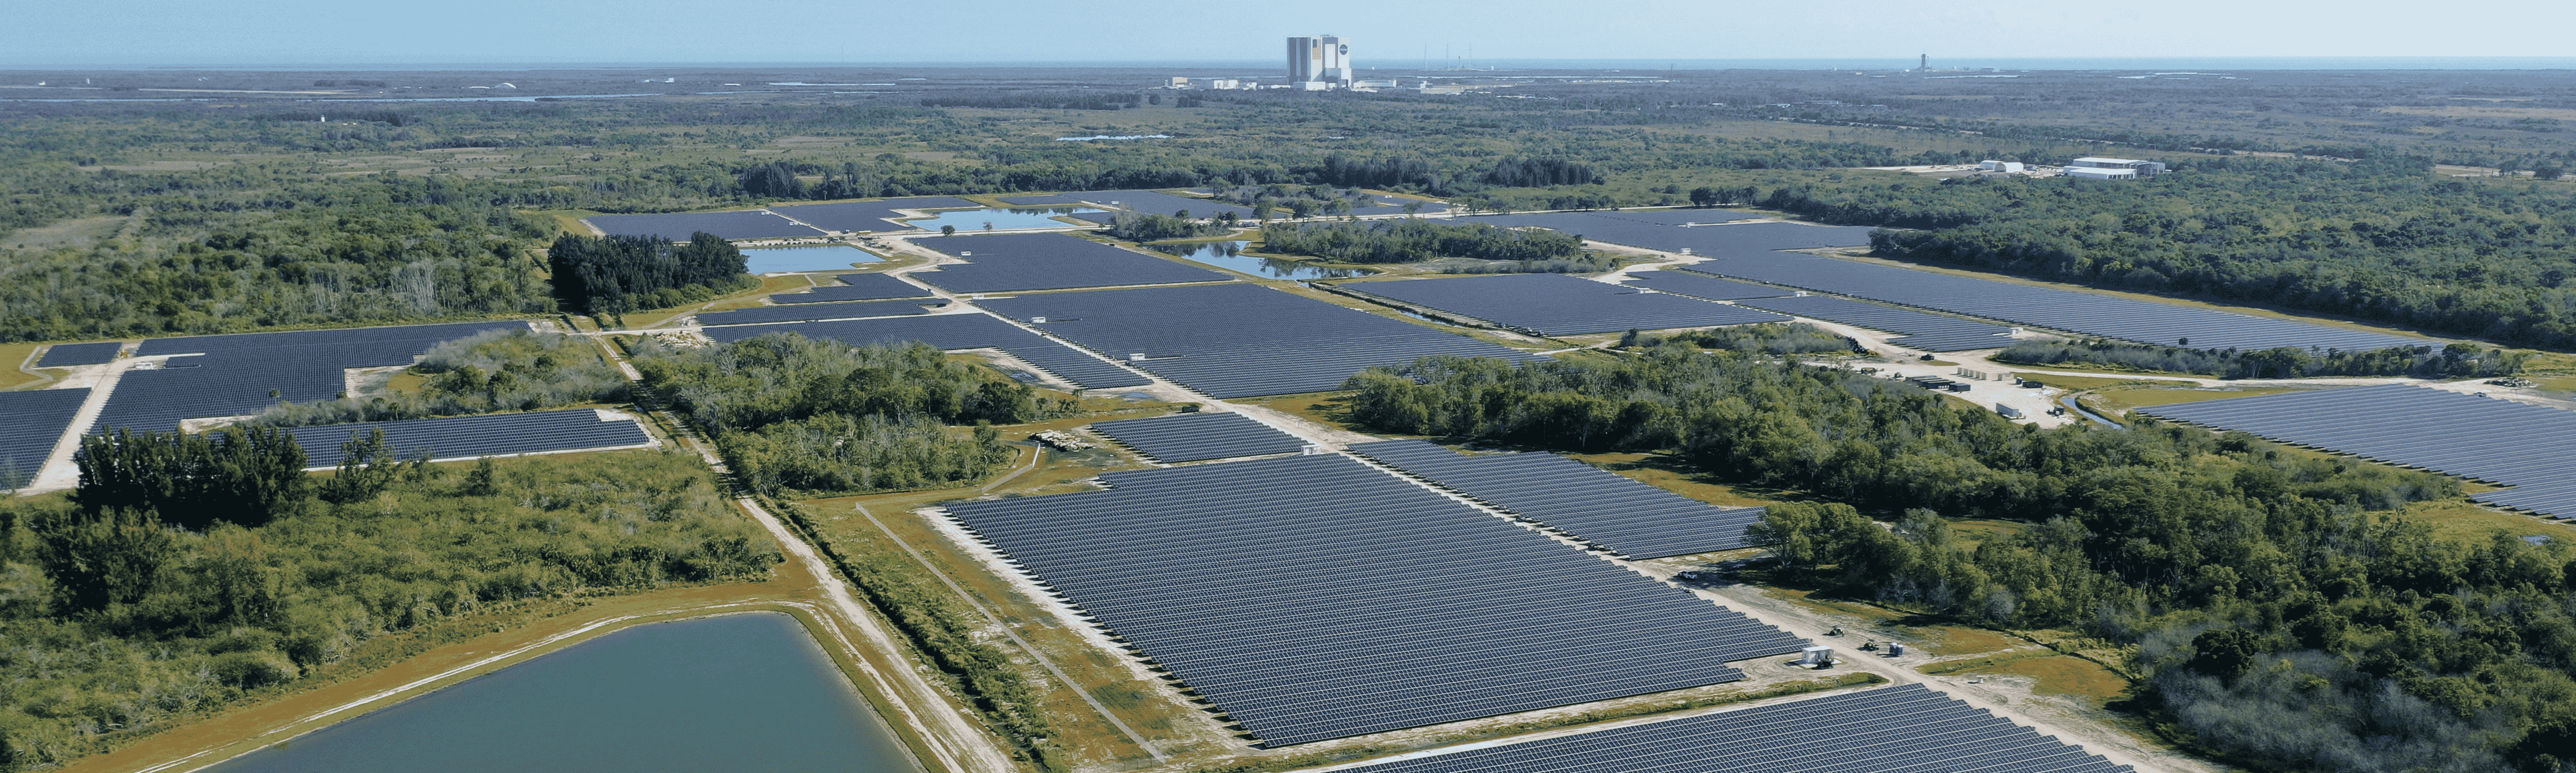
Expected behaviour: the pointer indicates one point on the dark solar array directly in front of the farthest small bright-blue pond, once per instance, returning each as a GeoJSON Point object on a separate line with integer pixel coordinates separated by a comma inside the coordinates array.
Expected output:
{"type": "Point", "coordinates": [1050, 262]}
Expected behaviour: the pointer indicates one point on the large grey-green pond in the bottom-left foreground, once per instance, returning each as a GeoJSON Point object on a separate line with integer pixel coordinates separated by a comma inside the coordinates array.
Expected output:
{"type": "Point", "coordinates": [715, 694]}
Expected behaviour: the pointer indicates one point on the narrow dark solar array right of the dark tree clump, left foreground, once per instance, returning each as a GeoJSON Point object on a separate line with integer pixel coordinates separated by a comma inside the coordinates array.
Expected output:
{"type": "Point", "coordinates": [478, 437]}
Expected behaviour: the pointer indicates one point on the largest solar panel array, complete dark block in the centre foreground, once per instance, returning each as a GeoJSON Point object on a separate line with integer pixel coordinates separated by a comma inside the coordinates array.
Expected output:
{"type": "Point", "coordinates": [1315, 599]}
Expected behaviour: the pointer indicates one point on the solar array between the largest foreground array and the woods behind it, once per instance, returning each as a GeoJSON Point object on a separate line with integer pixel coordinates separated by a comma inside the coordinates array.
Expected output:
{"type": "Point", "coordinates": [1598, 506]}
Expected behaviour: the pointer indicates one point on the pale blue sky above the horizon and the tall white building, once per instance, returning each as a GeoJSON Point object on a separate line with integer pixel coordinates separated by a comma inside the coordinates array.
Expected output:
{"type": "Point", "coordinates": [1392, 32]}
